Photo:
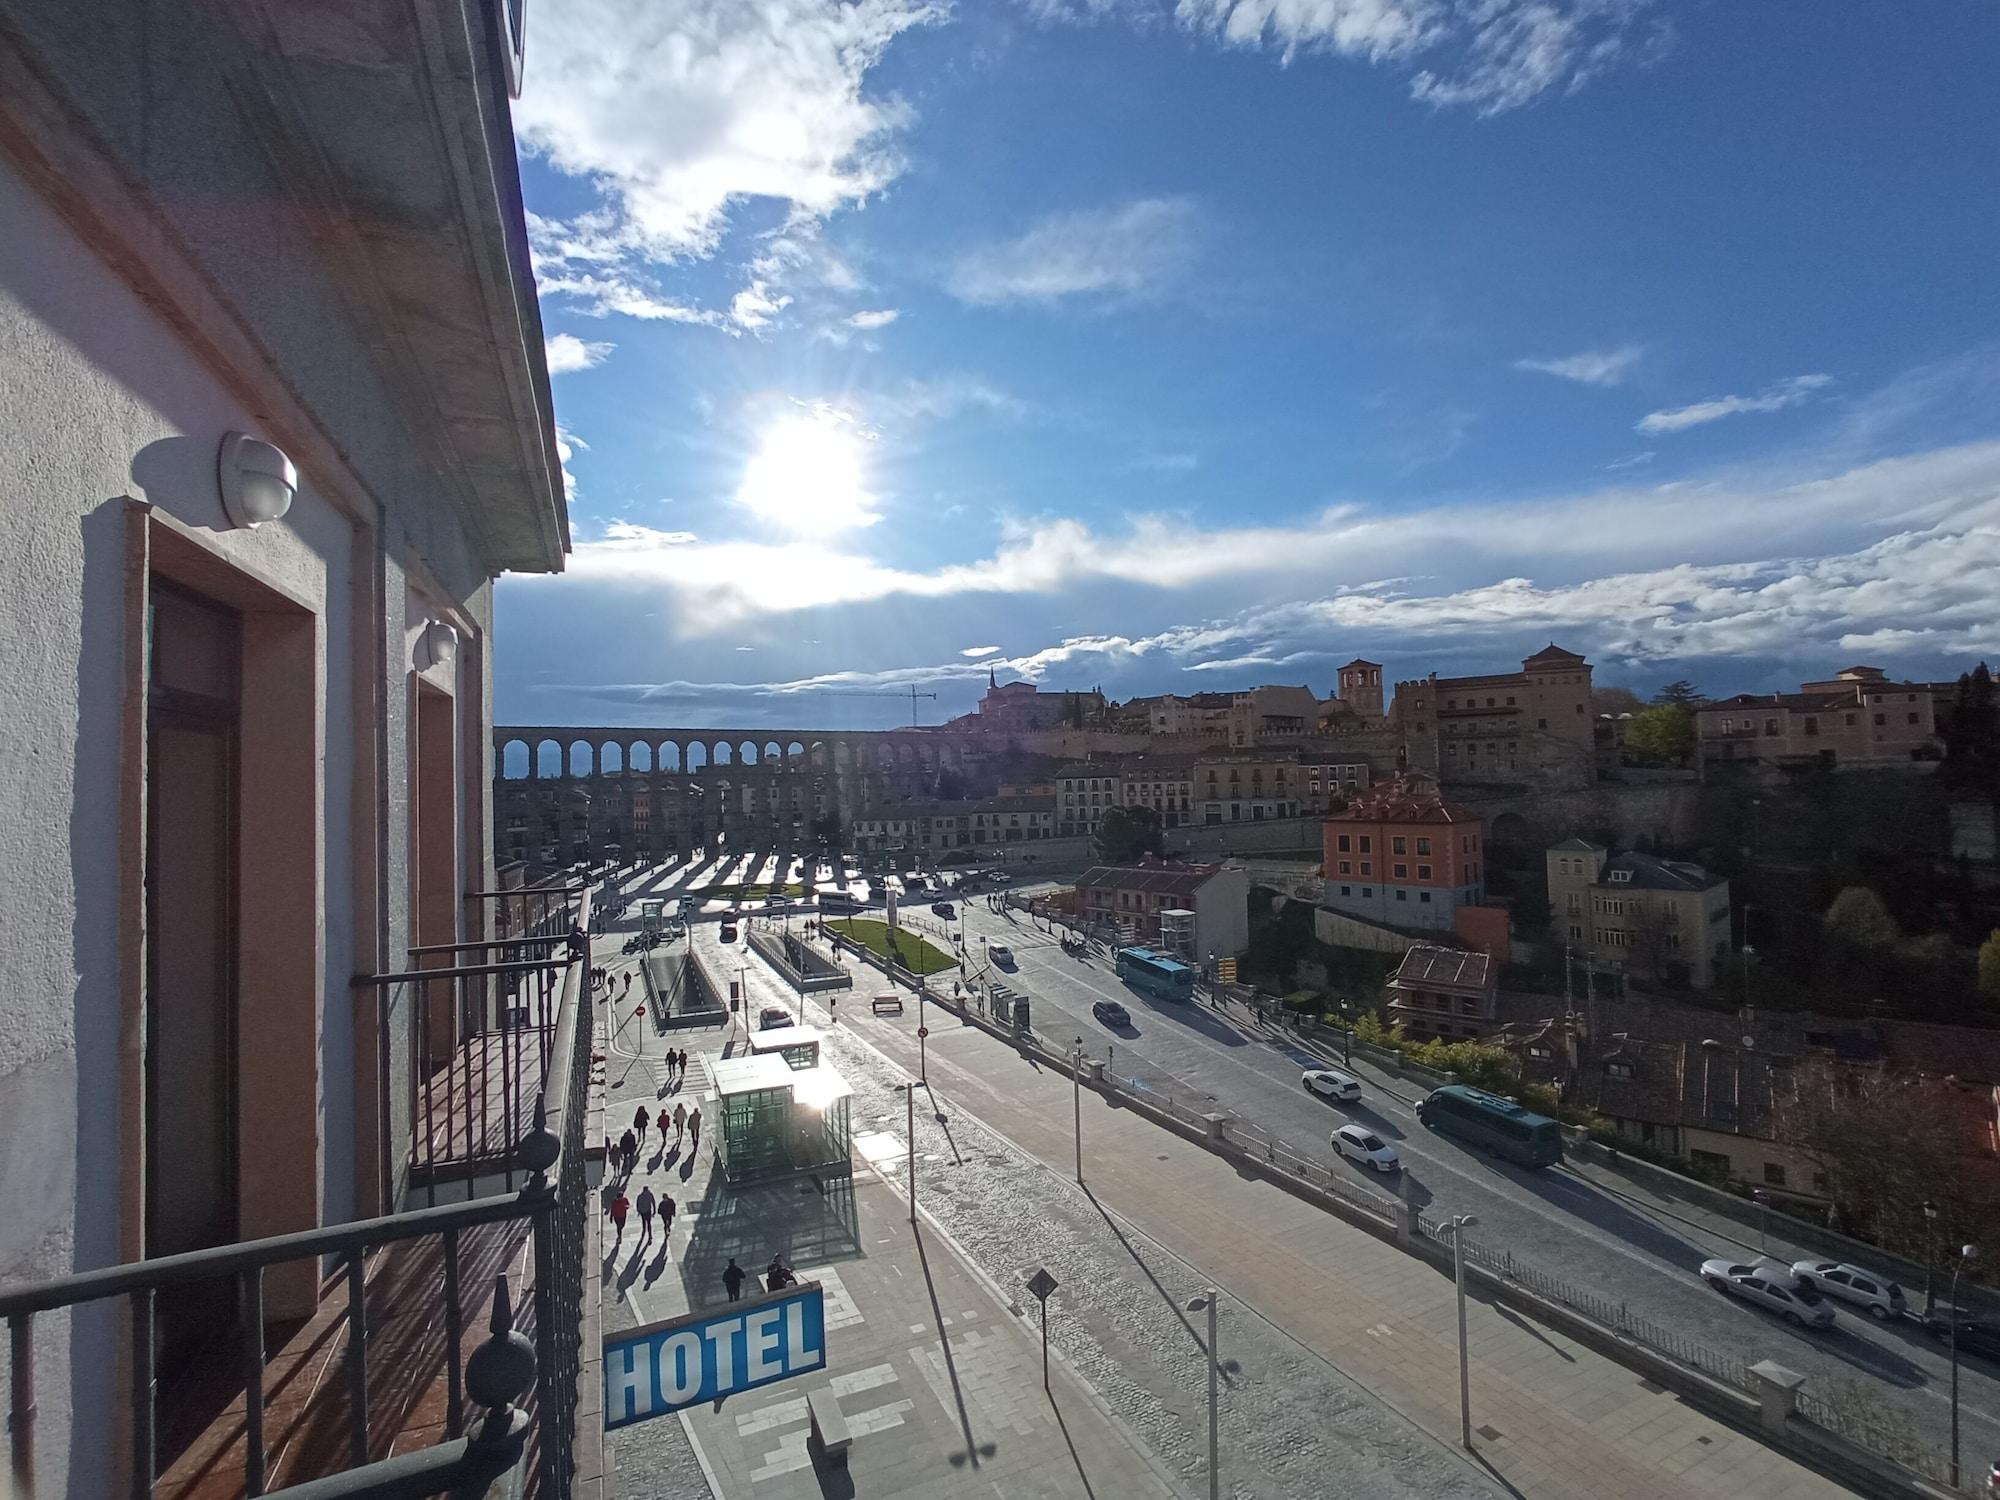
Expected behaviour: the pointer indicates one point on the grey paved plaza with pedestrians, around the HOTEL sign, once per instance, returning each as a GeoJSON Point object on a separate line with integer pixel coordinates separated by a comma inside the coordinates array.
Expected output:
{"type": "Point", "coordinates": [939, 1383]}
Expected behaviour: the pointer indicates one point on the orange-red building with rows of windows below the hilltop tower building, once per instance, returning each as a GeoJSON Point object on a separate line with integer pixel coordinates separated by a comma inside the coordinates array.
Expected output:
{"type": "Point", "coordinates": [1407, 857]}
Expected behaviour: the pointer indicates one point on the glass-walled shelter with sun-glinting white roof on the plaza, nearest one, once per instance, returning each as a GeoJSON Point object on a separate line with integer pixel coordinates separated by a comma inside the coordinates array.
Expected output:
{"type": "Point", "coordinates": [781, 1119]}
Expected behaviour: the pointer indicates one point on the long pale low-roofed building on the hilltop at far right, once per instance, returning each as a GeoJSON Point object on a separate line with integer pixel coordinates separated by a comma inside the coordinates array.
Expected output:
{"type": "Point", "coordinates": [1853, 719]}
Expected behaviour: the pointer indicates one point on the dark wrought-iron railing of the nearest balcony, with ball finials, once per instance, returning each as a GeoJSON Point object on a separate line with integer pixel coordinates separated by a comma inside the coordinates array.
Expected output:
{"type": "Point", "coordinates": [553, 1203]}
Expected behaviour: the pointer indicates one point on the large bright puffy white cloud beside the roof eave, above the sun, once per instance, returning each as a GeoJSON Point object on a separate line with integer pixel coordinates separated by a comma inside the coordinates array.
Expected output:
{"type": "Point", "coordinates": [677, 115]}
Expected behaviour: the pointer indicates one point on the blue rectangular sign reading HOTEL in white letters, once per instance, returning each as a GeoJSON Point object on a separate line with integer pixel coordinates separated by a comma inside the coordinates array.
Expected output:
{"type": "Point", "coordinates": [703, 1357]}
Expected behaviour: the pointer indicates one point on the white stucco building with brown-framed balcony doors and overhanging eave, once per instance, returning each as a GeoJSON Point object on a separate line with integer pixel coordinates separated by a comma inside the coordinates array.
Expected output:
{"type": "Point", "coordinates": [277, 417]}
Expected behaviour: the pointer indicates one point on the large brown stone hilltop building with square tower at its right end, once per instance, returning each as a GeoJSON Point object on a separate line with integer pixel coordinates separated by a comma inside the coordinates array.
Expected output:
{"type": "Point", "coordinates": [1533, 727]}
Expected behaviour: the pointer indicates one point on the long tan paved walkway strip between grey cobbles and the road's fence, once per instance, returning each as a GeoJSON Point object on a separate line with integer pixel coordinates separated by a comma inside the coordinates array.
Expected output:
{"type": "Point", "coordinates": [1553, 1417]}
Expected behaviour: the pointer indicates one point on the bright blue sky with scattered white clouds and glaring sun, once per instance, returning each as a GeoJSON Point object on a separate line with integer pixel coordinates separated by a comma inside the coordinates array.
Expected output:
{"type": "Point", "coordinates": [1191, 347]}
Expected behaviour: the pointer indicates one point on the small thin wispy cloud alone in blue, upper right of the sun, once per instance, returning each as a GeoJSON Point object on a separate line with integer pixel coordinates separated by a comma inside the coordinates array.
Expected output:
{"type": "Point", "coordinates": [1129, 253]}
